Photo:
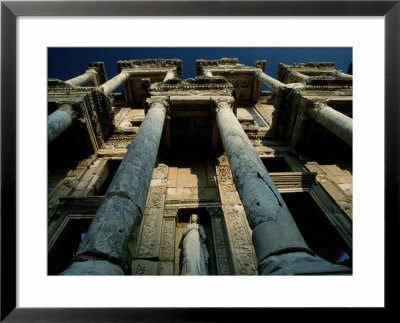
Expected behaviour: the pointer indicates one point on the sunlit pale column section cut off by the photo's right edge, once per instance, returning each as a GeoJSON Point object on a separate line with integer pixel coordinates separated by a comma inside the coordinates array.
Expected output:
{"type": "Point", "coordinates": [336, 122]}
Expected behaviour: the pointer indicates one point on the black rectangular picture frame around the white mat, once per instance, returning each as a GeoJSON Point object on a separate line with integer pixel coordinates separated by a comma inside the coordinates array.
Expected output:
{"type": "Point", "coordinates": [10, 10]}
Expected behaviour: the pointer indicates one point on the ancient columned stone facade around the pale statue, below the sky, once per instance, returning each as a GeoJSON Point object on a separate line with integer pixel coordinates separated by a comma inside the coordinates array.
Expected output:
{"type": "Point", "coordinates": [268, 172]}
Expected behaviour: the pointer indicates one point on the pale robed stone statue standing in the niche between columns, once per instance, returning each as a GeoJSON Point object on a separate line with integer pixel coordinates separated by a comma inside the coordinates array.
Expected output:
{"type": "Point", "coordinates": [194, 250]}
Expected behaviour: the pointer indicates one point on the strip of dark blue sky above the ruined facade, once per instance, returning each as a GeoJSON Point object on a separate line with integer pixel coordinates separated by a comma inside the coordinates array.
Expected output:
{"type": "Point", "coordinates": [65, 63]}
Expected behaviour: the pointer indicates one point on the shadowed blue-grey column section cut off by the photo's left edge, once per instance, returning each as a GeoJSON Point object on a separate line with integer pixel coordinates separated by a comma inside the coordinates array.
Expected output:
{"type": "Point", "coordinates": [59, 121]}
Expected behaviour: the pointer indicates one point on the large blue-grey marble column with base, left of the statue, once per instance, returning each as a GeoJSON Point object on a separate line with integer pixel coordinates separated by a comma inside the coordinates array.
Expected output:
{"type": "Point", "coordinates": [105, 250]}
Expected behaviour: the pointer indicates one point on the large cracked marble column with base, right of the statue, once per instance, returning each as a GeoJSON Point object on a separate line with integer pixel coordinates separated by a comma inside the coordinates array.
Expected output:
{"type": "Point", "coordinates": [279, 245]}
